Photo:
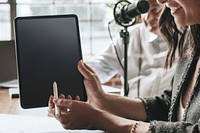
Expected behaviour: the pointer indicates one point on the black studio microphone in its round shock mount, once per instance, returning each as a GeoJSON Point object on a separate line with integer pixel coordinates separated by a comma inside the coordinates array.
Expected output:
{"type": "Point", "coordinates": [124, 11]}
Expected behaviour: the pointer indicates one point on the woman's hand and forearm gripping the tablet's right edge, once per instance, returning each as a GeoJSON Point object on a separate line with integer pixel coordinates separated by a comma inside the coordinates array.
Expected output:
{"type": "Point", "coordinates": [121, 106]}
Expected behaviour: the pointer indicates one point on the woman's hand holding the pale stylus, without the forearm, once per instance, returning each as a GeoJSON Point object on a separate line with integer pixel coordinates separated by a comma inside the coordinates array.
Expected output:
{"type": "Point", "coordinates": [75, 114]}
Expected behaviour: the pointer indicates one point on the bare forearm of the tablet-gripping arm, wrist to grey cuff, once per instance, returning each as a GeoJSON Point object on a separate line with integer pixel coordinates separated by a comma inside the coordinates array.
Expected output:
{"type": "Point", "coordinates": [131, 108]}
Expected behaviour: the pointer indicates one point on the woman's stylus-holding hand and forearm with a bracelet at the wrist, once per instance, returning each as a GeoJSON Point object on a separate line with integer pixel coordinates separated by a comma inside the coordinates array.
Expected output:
{"type": "Point", "coordinates": [81, 115]}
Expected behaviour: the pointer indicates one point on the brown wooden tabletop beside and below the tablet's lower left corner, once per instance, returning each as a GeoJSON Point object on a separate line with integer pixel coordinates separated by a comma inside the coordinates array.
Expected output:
{"type": "Point", "coordinates": [10, 105]}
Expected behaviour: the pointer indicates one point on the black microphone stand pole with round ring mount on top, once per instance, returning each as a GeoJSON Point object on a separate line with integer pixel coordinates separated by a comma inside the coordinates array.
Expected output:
{"type": "Point", "coordinates": [124, 34]}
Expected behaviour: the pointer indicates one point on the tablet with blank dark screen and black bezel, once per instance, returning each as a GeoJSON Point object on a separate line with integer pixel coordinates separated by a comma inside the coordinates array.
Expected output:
{"type": "Point", "coordinates": [48, 49]}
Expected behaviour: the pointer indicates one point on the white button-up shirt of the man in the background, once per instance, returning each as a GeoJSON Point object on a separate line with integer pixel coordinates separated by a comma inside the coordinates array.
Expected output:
{"type": "Point", "coordinates": [145, 45]}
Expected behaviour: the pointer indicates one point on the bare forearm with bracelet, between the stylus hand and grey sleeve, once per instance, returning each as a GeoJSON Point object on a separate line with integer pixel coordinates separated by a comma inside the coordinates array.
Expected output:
{"type": "Point", "coordinates": [110, 123]}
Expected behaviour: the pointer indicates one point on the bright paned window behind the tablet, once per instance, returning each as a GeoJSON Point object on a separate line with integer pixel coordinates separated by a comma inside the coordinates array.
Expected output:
{"type": "Point", "coordinates": [93, 15]}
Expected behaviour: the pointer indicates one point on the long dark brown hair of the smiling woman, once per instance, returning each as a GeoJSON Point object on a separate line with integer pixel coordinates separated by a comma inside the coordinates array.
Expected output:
{"type": "Point", "coordinates": [186, 39]}
